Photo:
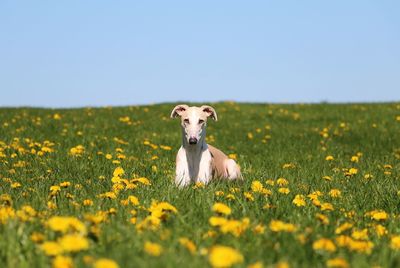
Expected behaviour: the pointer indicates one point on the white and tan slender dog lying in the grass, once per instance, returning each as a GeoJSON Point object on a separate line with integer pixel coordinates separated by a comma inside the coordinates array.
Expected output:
{"type": "Point", "coordinates": [197, 161]}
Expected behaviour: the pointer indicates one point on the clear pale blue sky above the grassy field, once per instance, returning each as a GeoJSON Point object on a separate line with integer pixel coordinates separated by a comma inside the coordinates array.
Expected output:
{"type": "Point", "coordinates": [93, 52]}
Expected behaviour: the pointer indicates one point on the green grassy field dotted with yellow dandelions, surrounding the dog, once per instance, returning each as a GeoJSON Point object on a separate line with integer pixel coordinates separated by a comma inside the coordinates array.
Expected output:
{"type": "Point", "coordinates": [94, 188]}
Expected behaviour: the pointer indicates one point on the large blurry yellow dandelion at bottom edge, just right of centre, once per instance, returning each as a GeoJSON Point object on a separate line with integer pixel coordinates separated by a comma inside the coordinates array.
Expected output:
{"type": "Point", "coordinates": [223, 256]}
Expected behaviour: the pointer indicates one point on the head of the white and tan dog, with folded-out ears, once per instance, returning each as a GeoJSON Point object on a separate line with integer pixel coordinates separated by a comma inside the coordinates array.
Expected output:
{"type": "Point", "coordinates": [193, 120]}
